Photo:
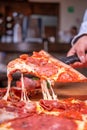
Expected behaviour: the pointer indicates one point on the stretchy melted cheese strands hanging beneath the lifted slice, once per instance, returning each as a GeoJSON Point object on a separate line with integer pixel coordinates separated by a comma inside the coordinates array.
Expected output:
{"type": "Point", "coordinates": [24, 97]}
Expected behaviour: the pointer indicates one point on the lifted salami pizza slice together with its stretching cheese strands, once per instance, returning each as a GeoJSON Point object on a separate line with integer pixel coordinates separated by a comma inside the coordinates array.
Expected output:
{"type": "Point", "coordinates": [48, 69]}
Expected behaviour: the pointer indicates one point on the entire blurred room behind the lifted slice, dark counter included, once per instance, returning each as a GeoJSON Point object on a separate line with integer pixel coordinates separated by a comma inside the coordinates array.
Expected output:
{"type": "Point", "coordinates": [33, 25]}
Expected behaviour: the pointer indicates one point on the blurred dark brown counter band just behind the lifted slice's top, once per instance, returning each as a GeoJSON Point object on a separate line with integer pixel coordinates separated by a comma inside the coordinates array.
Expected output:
{"type": "Point", "coordinates": [30, 47]}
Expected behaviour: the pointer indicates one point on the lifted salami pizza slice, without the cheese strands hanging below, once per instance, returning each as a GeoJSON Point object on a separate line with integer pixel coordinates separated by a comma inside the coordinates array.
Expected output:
{"type": "Point", "coordinates": [44, 66]}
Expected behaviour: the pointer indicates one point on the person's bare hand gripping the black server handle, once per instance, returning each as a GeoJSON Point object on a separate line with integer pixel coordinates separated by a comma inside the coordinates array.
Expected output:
{"type": "Point", "coordinates": [79, 48]}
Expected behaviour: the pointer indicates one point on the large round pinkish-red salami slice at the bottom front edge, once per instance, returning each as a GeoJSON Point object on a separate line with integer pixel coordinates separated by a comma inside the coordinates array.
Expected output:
{"type": "Point", "coordinates": [43, 122]}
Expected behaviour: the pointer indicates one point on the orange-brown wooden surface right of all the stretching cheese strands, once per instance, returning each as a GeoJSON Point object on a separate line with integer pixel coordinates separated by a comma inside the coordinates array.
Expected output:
{"type": "Point", "coordinates": [67, 90]}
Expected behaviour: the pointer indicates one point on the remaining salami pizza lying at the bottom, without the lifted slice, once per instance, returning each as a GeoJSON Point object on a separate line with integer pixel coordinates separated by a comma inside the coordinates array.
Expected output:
{"type": "Point", "coordinates": [65, 114]}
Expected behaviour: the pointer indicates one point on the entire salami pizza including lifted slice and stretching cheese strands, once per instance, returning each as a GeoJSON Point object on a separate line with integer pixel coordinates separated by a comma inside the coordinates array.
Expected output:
{"type": "Point", "coordinates": [19, 112]}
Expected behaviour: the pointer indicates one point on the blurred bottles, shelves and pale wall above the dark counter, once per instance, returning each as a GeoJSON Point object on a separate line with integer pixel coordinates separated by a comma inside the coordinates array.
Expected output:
{"type": "Point", "coordinates": [34, 20]}
